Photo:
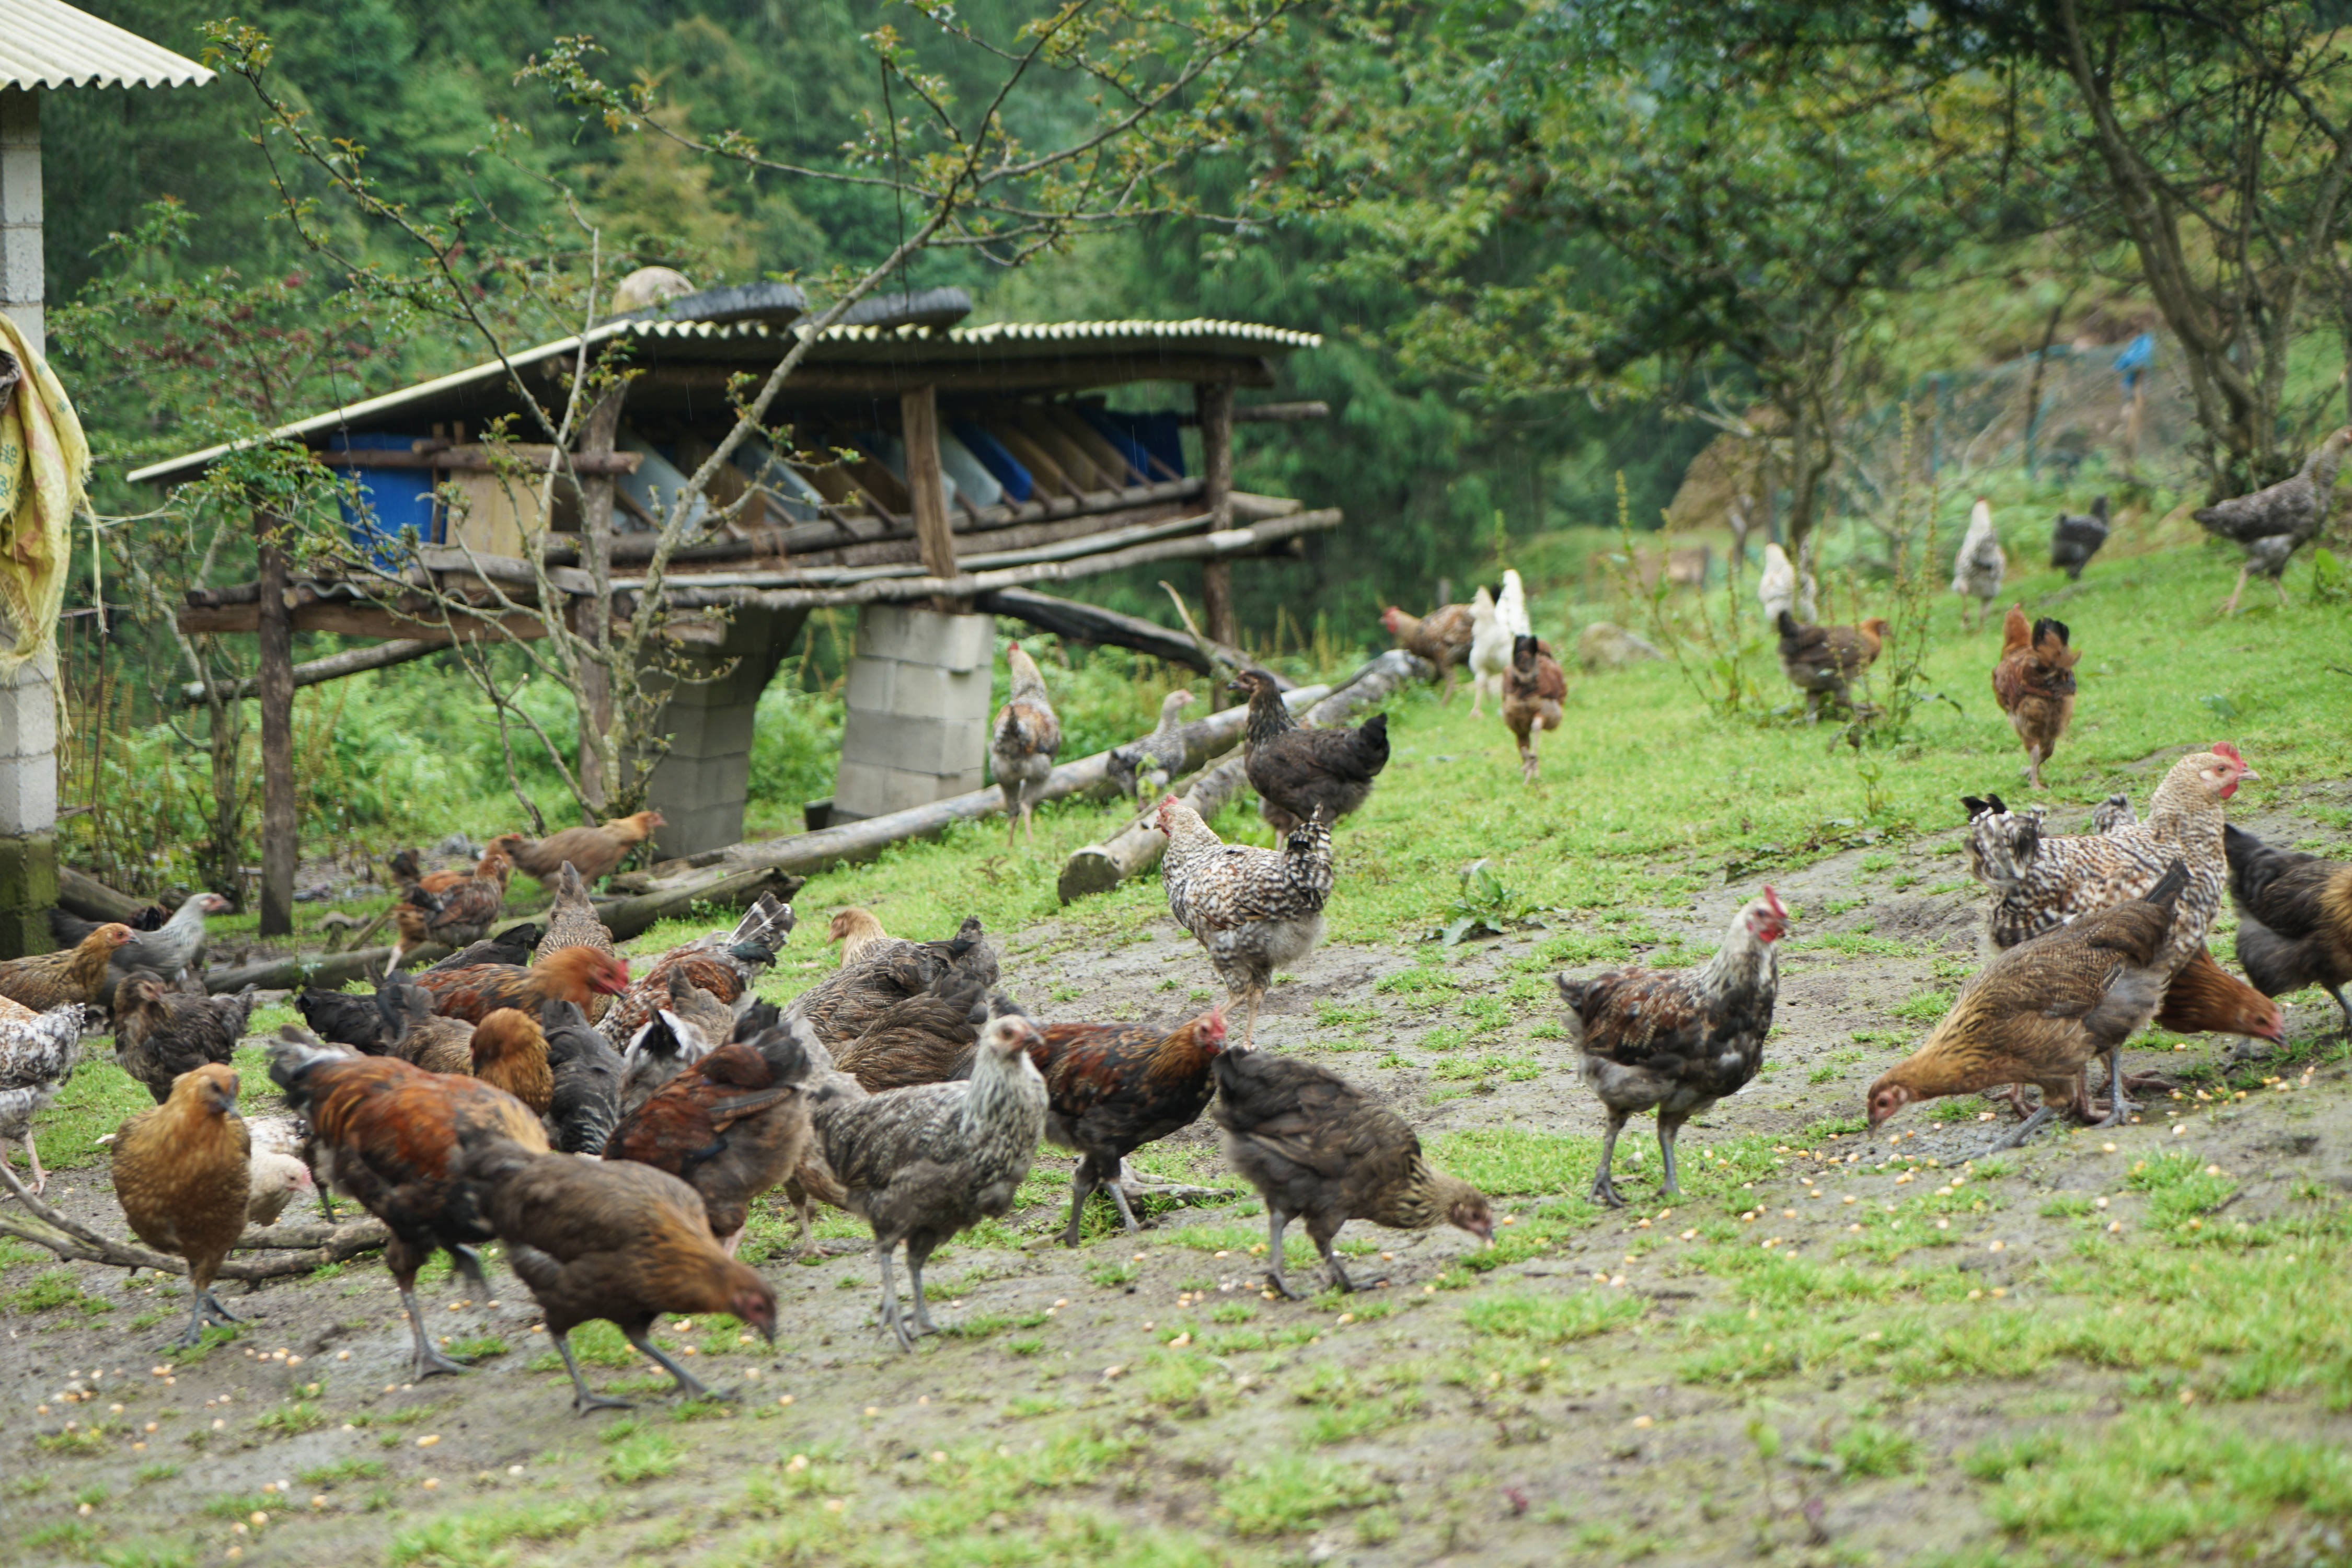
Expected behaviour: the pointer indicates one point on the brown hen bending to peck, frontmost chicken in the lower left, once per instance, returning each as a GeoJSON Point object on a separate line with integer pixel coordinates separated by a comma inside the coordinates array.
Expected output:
{"type": "Point", "coordinates": [617, 1242]}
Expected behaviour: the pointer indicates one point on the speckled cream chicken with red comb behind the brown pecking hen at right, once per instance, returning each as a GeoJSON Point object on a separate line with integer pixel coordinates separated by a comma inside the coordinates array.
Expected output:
{"type": "Point", "coordinates": [2045, 883]}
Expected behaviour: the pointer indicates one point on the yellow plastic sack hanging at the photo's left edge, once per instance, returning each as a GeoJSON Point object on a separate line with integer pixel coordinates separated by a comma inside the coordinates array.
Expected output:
{"type": "Point", "coordinates": [44, 483]}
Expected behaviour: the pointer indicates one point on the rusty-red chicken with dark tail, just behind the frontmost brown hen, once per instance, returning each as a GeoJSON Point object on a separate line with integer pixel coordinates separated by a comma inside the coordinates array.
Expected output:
{"type": "Point", "coordinates": [392, 1139]}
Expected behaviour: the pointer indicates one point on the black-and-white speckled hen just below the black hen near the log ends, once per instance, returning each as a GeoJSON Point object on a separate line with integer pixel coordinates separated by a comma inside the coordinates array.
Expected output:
{"type": "Point", "coordinates": [1250, 909]}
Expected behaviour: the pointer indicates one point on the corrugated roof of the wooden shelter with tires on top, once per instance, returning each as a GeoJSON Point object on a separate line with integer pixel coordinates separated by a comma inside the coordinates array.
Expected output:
{"type": "Point", "coordinates": [998, 342]}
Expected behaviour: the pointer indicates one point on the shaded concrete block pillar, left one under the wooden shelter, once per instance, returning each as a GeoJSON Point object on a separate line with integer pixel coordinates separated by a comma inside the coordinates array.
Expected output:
{"type": "Point", "coordinates": [704, 779]}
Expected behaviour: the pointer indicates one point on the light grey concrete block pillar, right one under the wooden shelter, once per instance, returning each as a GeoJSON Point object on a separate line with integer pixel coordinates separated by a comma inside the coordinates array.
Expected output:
{"type": "Point", "coordinates": [918, 711]}
